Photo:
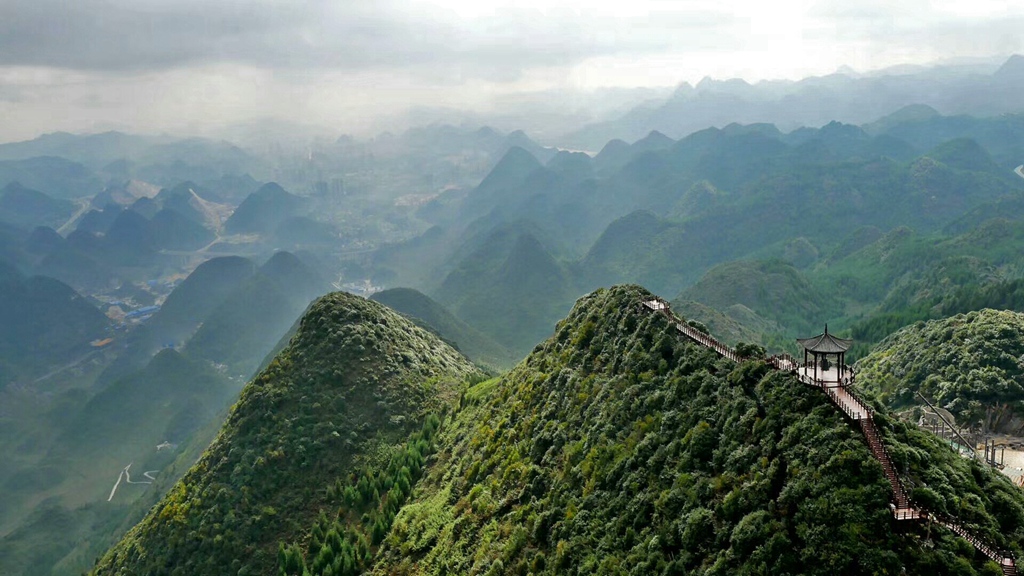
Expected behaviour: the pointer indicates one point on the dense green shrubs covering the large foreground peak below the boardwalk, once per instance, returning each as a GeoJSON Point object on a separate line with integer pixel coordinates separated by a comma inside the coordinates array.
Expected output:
{"type": "Point", "coordinates": [620, 448]}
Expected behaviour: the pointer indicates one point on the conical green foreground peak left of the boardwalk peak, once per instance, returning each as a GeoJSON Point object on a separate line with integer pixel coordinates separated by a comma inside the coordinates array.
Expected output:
{"type": "Point", "coordinates": [349, 394]}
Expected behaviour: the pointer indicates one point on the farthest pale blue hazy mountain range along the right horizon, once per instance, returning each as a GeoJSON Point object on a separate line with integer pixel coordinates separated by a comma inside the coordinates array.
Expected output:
{"type": "Point", "coordinates": [841, 97]}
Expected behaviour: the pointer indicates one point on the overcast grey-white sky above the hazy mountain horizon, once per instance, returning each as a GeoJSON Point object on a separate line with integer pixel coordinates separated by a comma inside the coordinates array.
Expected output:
{"type": "Point", "coordinates": [192, 66]}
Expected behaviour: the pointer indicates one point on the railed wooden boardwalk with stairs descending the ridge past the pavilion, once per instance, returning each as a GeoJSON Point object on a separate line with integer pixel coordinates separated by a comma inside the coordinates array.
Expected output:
{"type": "Point", "coordinates": [844, 398]}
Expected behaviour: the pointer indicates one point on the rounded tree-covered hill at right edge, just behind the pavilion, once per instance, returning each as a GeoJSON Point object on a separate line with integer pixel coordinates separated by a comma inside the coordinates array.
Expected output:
{"type": "Point", "coordinates": [969, 364]}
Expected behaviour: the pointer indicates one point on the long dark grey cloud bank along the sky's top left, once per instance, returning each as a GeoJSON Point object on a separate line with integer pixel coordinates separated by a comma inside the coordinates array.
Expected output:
{"type": "Point", "coordinates": [127, 36]}
